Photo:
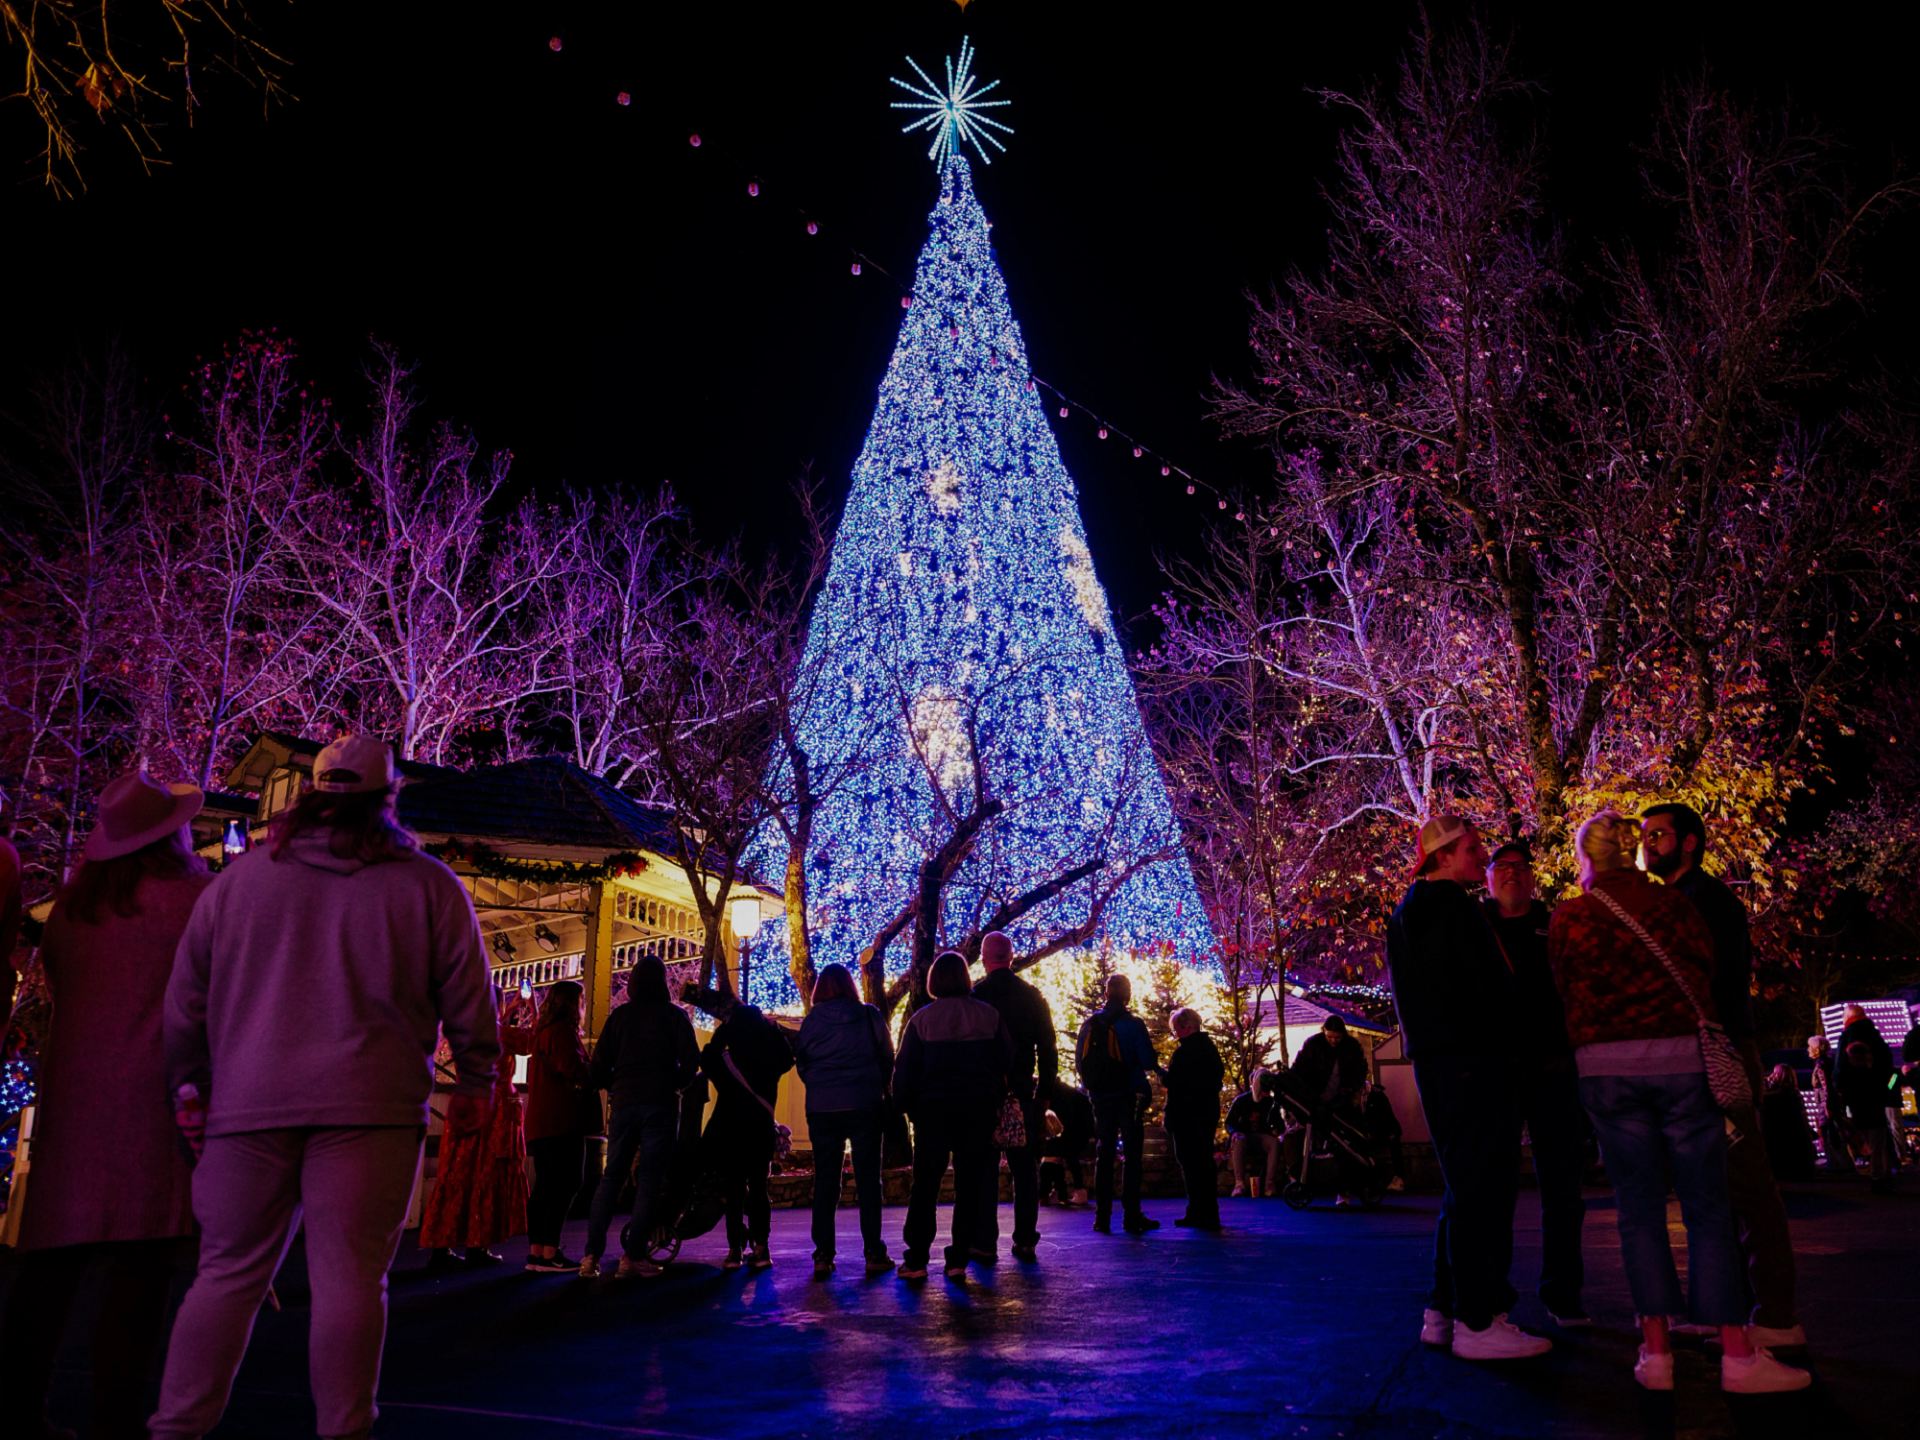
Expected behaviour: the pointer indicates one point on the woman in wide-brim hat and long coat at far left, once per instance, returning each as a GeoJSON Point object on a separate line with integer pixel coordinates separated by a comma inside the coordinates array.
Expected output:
{"type": "Point", "coordinates": [110, 1180]}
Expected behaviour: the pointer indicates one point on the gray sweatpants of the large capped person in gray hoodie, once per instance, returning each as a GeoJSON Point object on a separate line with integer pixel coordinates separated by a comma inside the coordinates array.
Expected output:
{"type": "Point", "coordinates": [251, 1193]}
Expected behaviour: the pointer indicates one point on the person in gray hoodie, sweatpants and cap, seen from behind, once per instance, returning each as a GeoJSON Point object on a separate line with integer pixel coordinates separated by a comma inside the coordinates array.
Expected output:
{"type": "Point", "coordinates": [308, 996]}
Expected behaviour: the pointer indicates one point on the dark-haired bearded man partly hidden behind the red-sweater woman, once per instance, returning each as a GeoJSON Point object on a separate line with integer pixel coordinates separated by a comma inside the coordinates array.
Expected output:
{"type": "Point", "coordinates": [1673, 840]}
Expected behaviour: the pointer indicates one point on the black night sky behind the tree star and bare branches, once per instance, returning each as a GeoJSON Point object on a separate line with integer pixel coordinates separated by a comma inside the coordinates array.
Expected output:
{"type": "Point", "coordinates": [588, 291]}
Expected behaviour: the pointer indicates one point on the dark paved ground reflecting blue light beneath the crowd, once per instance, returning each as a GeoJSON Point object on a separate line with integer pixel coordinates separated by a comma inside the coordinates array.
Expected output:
{"type": "Point", "coordinates": [1287, 1328]}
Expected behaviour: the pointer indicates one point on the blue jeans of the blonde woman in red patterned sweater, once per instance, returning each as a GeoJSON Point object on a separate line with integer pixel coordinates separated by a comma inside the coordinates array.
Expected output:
{"type": "Point", "coordinates": [1652, 1128]}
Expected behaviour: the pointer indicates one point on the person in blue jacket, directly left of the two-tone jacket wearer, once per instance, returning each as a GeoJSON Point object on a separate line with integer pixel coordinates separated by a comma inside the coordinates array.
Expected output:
{"type": "Point", "coordinates": [846, 1061]}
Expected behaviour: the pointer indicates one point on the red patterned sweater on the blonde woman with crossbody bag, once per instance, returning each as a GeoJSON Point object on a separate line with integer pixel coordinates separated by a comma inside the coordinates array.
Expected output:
{"type": "Point", "coordinates": [1616, 990]}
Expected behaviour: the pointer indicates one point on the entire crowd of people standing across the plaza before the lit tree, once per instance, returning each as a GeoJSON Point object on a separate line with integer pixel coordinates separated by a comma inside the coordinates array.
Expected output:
{"type": "Point", "coordinates": [249, 1055]}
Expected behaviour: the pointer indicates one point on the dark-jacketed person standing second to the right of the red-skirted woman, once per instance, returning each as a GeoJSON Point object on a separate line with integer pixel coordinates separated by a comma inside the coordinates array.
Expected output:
{"type": "Point", "coordinates": [644, 1059]}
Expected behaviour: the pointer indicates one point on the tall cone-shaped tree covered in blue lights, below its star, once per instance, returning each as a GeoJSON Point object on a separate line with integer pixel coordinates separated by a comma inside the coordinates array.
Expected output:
{"type": "Point", "coordinates": [961, 588]}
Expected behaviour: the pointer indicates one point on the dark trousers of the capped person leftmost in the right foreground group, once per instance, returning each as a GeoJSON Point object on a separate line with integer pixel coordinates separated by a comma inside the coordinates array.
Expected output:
{"type": "Point", "coordinates": [1474, 1115]}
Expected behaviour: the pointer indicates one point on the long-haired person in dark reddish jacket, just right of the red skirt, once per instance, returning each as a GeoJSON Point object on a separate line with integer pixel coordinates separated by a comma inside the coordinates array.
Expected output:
{"type": "Point", "coordinates": [562, 1113]}
